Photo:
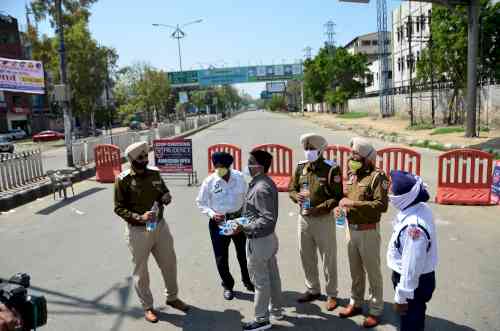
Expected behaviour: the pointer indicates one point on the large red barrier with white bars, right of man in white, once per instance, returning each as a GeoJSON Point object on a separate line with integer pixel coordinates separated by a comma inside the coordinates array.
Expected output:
{"type": "Point", "coordinates": [465, 177]}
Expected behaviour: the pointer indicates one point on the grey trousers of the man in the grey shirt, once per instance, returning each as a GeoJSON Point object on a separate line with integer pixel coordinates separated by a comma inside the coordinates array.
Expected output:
{"type": "Point", "coordinates": [265, 275]}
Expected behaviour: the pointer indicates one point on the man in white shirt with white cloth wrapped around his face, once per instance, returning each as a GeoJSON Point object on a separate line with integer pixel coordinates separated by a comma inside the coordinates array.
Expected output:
{"type": "Point", "coordinates": [412, 252]}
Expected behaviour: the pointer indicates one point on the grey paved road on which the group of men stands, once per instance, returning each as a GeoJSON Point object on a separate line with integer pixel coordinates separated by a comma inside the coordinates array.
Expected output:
{"type": "Point", "coordinates": [75, 251]}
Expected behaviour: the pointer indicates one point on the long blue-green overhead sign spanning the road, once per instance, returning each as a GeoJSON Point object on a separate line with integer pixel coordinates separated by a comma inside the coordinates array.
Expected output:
{"type": "Point", "coordinates": [235, 75]}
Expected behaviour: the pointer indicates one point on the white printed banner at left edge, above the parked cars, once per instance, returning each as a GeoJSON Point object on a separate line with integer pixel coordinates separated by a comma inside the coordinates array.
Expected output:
{"type": "Point", "coordinates": [21, 76]}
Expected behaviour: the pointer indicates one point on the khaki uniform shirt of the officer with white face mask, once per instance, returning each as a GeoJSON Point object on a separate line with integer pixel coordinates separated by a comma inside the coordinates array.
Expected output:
{"type": "Point", "coordinates": [325, 183]}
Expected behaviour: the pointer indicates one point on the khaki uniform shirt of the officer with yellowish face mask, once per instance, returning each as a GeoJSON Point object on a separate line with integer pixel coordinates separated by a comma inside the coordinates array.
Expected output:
{"type": "Point", "coordinates": [368, 190]}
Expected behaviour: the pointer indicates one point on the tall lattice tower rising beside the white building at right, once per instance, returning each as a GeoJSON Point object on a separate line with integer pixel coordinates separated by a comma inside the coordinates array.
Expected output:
{"type": "Point", "coordinates": [385, 89]}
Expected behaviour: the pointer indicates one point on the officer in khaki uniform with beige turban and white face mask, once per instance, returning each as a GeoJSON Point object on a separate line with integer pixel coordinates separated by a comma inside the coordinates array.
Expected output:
{"type": "Point", "coordinates": [317, 229]}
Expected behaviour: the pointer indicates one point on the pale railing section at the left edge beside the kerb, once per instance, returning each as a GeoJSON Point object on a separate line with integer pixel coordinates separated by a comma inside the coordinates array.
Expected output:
{"type": "Point", "coordinates": [19, 169]}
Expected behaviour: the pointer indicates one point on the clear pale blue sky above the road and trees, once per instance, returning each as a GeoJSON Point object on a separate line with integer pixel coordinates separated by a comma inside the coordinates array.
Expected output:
{"type": "Point", "coordinates": [232, 33]}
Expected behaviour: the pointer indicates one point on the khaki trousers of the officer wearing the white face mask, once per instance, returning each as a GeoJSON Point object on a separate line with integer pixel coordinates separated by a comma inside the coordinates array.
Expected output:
{"type": "Point", "coordinates": [319, 233]}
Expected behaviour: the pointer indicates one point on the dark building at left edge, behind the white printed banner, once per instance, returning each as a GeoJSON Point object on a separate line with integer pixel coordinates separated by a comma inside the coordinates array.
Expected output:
{"type": "Point", "coordinates": [15, 108]}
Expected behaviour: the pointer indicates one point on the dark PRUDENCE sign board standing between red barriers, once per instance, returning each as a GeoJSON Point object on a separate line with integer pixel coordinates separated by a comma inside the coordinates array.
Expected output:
{"type": "Point", "coordinates": [174, 156]}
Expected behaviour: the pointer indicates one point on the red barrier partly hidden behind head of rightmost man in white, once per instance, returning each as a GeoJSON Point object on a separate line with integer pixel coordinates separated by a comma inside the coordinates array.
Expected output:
{"type": "Point", "coordinates": [398, 158]}
